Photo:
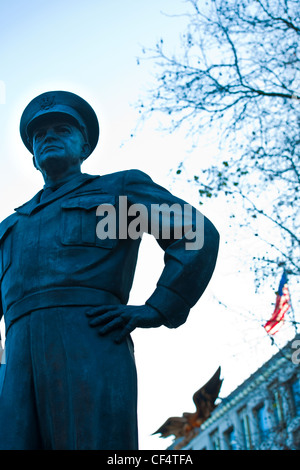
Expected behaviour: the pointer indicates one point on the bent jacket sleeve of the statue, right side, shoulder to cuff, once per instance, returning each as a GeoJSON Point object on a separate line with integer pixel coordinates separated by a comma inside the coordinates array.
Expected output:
{"type": "Point", "coordinates": [190, 242]}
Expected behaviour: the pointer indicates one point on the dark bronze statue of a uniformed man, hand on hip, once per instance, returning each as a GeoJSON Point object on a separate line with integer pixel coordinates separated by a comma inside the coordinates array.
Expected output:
{"type": "Point", "coordinates": [66, 271]}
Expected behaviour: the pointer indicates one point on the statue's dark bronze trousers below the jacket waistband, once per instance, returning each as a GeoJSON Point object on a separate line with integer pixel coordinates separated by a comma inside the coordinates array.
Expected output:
{"type": "Point", "coordinates": [64, 387]}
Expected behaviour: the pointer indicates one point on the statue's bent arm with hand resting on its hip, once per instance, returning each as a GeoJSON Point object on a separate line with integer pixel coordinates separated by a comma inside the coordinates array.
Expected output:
{"type": "Point", "coordinates": [190, 242]}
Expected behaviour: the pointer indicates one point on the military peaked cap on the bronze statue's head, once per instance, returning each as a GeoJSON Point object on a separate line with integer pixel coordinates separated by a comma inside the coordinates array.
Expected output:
{"type": "Point", "coordinates": [58, 104]}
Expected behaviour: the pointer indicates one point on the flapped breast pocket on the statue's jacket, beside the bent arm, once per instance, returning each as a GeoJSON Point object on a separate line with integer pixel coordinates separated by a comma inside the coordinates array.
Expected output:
{"type": "Point", "coordinates": [79, 220]}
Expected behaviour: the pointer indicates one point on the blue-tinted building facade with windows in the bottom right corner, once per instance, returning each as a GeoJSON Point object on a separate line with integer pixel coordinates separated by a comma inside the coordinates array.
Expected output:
{"type": "Point", "coordinates": [262, 413]}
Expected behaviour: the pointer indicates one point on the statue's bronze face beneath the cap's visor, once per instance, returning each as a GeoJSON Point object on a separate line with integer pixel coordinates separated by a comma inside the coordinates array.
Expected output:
{"type": "Point", "coordinates": [57, 146]}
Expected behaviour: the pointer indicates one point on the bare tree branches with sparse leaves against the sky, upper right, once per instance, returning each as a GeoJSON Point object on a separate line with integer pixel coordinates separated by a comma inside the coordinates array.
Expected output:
{"type": "Point", "coordinates": [237, 73]}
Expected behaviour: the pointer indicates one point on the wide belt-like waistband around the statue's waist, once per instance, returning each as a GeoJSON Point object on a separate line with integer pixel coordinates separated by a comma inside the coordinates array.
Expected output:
{"type": "Point", "coordinates": [58, 297]}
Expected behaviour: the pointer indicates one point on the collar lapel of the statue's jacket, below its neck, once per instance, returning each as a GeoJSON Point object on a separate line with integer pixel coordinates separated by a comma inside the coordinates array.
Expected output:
{"type": "Point", "coordinates": [35, 204]}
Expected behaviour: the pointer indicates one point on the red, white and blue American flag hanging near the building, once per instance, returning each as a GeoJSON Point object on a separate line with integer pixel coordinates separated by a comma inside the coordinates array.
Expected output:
{"type": "Point", "coordinates": [281, 307]}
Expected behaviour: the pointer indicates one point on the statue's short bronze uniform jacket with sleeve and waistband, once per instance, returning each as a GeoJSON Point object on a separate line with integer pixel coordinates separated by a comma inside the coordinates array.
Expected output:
{"type": "Point", "coordinates": [51, 255]}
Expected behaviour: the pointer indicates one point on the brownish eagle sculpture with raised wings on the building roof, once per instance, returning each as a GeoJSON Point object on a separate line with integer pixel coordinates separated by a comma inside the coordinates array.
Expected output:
{"type": "Point", "coordinates": [186, 426]}
